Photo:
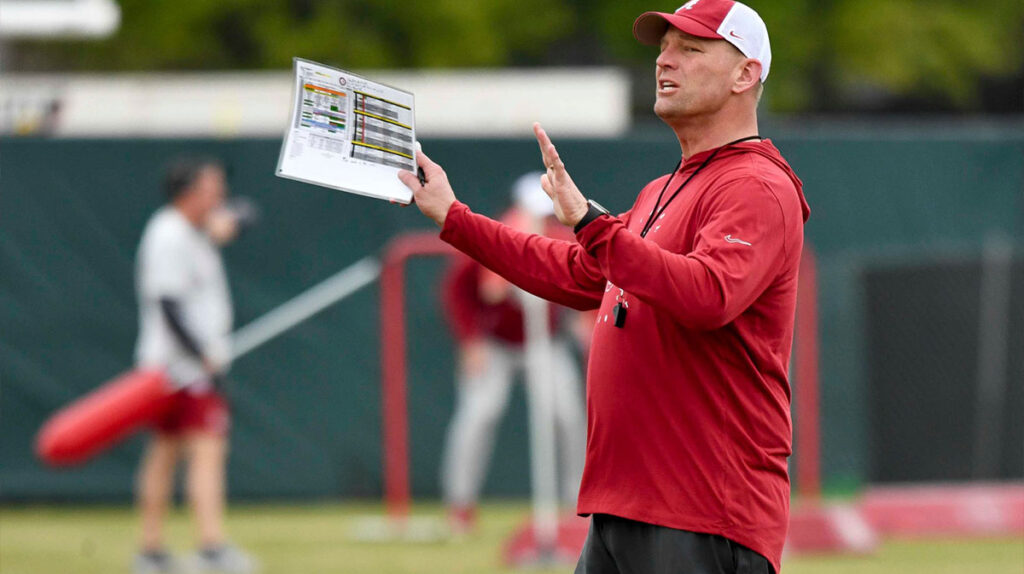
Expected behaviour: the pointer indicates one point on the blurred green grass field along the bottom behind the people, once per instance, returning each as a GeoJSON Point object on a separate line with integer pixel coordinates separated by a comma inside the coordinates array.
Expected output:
{"type": "Point", "coordinates": [314, 540]}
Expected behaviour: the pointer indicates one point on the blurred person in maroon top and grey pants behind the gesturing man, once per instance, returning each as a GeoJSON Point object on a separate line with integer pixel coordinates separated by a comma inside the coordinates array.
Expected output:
{"type": "Point", "coordinates": [487, 319]}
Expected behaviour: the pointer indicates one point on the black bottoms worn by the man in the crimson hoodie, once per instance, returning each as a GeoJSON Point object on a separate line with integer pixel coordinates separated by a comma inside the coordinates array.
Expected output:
{"type": "Point", "coordinates": [619, 546]}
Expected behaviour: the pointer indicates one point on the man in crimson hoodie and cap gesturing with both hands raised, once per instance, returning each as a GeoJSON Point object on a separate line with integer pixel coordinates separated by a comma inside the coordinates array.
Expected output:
{"type": "Point", "coordinates": [696, 286]}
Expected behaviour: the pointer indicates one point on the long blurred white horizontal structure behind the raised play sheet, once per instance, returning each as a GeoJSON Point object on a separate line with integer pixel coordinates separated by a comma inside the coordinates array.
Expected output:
{"type": "Point", "coordinates": [571, 103]}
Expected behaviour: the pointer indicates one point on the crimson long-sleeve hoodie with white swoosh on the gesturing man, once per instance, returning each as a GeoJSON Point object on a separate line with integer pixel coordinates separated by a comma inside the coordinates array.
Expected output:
{"type": "Point", "coordinates": [689, 404]}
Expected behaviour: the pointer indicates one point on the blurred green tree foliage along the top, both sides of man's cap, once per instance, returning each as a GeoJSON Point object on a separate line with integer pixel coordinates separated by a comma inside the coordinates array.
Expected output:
{"type": "Point", "coordinates": [827, 54]}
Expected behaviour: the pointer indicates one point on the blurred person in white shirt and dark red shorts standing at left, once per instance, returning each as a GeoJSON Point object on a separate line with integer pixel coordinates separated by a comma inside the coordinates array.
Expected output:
{"type": "Point", "coordinates": [185, 328]}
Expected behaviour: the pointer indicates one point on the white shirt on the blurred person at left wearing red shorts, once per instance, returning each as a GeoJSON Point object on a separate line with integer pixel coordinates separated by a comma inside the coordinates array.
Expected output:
{"type": "Point", "coordinates": [176, 260]}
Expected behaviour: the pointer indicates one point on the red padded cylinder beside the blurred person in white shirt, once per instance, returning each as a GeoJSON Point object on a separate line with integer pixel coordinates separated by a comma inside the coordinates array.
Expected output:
{"type": "Point", "coordinates": [108, 415]}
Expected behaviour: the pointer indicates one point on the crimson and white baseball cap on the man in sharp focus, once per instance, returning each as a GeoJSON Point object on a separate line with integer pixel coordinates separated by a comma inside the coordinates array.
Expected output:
{"type": "Point", "coordinates": [720, 20]}
